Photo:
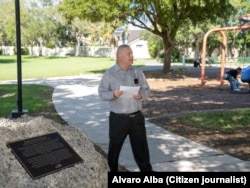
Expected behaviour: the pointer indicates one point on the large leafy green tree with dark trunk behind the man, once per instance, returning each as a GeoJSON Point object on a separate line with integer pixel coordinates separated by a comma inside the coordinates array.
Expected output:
{"type": "Point", "coordinates": [160, 17]}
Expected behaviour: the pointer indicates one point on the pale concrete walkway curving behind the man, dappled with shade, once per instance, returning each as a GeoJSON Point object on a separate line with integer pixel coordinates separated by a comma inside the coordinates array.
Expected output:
{"type": "Point", "coordinates": [76, 100]}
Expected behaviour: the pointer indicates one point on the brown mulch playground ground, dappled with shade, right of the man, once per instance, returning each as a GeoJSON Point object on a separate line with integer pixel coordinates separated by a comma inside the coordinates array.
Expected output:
{"type": "Point", "coordinates": [181, 91]}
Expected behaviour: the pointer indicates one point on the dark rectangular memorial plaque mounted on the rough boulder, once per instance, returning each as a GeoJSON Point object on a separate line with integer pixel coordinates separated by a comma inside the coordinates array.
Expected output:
{"type": "Point", "coordinates": [44, 154]}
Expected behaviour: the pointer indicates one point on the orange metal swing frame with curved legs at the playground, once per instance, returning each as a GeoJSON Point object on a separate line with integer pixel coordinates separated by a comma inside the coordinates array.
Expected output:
{"type": "Point", "coordinates": [245, 19]}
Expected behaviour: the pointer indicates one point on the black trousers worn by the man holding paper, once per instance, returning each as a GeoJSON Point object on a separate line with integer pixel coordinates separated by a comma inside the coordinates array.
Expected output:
{"type": "Point", "coordinates": [119, 127]}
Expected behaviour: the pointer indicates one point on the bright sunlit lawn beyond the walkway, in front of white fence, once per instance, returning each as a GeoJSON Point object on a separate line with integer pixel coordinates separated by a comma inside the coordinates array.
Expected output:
{"type": "Point", "coordinates": [45, 67]}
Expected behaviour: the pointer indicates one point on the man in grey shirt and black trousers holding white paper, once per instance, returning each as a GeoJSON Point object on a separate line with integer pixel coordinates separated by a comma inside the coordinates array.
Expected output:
{"type": "Point", "coordinates": [125, 118]}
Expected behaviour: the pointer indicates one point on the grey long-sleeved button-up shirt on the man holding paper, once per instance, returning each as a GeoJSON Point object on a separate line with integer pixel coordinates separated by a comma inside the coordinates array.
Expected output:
{"type": "Point", "coordinates": [115, 77]}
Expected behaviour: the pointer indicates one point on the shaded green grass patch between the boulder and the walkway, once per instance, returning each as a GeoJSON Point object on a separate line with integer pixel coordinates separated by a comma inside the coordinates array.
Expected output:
{"type": "Point", "coordinates": [37, 99]}
